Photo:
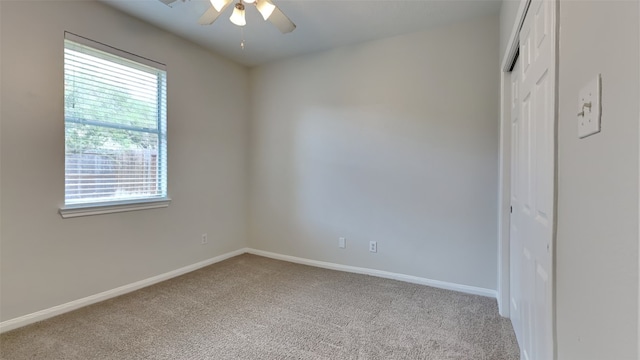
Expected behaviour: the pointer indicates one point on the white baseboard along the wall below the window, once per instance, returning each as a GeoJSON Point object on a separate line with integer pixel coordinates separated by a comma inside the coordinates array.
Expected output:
{"type": "Point", "coordinates": [76, 304]}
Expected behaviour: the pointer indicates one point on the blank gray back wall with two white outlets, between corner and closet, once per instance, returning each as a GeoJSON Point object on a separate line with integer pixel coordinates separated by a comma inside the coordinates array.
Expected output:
{"type": "Point", "coordinates": [394, 140]}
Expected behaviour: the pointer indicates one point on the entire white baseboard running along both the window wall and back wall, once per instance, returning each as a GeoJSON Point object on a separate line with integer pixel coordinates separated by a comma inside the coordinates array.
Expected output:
{"type": "Point", "coordinates": [105, 295]}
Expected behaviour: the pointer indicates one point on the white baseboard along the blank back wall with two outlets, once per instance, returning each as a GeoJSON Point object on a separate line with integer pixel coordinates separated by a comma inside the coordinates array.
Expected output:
{"type": "Point", "coordinates": [379, 273]}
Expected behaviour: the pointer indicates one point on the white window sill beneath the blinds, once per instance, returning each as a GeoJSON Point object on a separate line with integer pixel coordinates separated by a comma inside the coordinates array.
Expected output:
{"type": "Point", "coordinates": [71, 211]}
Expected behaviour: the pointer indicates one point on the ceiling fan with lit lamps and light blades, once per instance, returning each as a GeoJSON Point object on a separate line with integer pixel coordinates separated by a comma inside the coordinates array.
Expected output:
{"type": "Point", "coordinates": [266, 8]}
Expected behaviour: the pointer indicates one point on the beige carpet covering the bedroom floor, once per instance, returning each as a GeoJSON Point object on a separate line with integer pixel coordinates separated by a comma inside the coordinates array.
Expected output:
{"type": "Point", "coordinates": [250, 307]}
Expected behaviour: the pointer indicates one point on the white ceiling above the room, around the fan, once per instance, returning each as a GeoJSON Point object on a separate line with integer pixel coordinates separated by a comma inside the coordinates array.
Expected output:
{"type": "Point", "coordinates": [321, 24]}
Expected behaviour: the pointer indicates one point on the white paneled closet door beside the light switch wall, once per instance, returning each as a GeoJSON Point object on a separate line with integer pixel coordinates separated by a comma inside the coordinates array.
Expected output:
{"type": "Point", "coordinates": [534, 189]}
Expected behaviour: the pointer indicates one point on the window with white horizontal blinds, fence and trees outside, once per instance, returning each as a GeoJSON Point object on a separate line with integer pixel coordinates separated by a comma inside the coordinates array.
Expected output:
{"type": "Point", "coordinates": [115, 127]}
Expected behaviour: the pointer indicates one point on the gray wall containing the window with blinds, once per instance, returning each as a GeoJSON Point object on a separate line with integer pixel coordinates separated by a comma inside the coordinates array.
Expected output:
{"type": "Point", "coordinates": [48, 261]}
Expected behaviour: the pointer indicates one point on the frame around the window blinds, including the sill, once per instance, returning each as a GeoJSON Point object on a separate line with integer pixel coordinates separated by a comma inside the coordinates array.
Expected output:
{"type": "Point", "coordinates": [123, 205]}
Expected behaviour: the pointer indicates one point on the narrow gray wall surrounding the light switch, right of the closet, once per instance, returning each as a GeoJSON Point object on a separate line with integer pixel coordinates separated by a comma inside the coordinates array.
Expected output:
{"type": "Point", "coordinates": [597, 243]}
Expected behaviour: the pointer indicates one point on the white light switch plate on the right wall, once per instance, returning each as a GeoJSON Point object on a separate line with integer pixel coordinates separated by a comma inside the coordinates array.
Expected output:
{"type": "Point", "coordinates": [589, 116]}
